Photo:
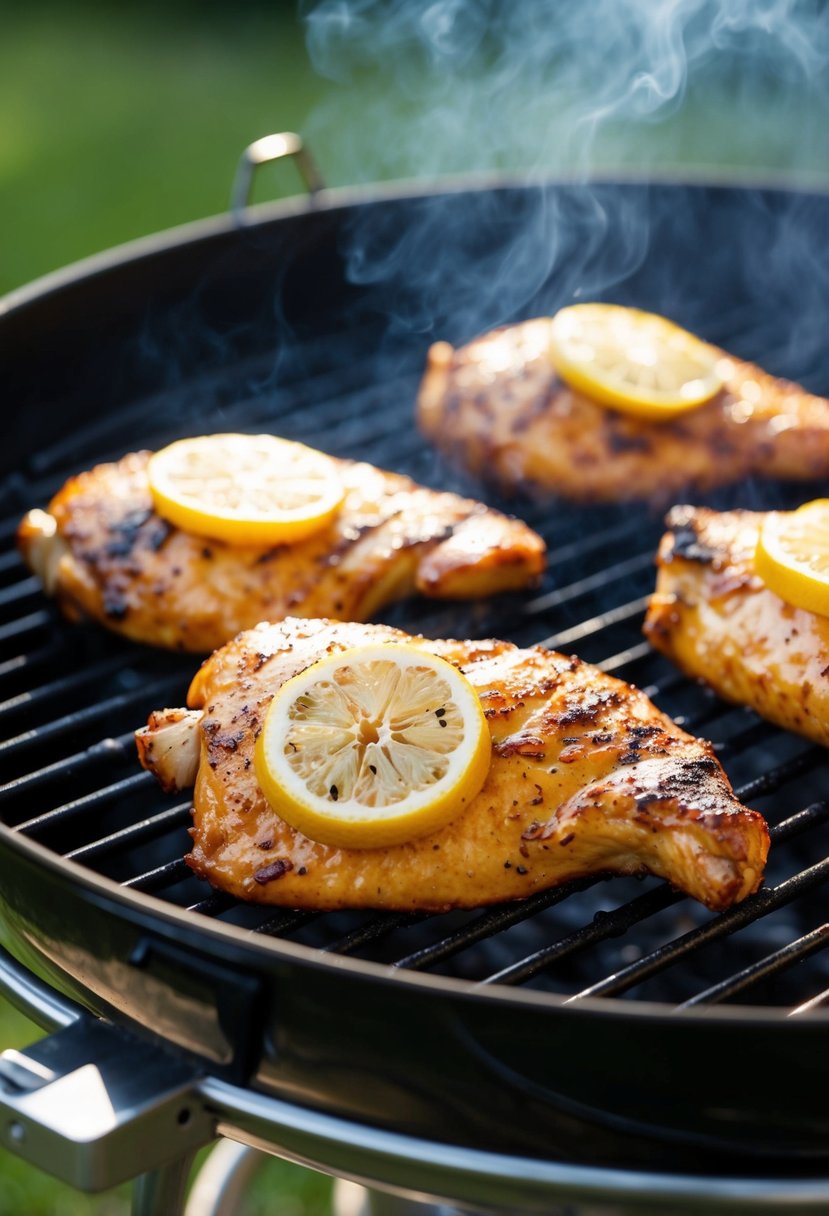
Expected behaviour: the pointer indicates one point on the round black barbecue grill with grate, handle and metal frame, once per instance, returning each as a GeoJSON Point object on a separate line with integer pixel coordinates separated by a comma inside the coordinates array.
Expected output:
{"type": "Point", "coordinates": [608, 1042]}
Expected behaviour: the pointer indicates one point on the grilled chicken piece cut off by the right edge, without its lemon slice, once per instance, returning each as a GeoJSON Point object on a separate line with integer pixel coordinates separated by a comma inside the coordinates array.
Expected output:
{"type": "Point", "coordinates": [719, 622]}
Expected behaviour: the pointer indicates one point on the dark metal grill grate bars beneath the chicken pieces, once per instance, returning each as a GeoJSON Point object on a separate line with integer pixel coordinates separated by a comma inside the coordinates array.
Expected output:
{"type": "Point", "coordinates": [72, 696]}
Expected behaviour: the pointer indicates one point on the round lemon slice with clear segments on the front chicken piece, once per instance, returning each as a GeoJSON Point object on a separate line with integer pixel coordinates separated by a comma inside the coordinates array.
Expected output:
{"type": "Point", "coordinates": [374, 746]}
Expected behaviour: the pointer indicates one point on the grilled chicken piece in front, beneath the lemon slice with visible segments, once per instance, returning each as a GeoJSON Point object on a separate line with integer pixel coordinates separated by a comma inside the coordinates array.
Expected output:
{"type": "Point", "coordinates": [586, 776]}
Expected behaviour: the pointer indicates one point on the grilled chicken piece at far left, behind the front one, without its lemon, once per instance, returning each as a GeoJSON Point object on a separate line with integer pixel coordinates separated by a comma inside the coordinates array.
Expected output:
{"type": "Point", "coordinates": [105, 554]}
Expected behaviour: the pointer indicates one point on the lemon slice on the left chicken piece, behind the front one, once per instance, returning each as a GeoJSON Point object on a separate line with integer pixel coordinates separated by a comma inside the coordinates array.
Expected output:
{"type": "Point", "coordinates": [245, 489]}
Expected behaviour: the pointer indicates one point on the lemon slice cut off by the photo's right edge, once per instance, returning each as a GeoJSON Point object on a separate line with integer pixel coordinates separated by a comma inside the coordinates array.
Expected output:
{"type": "Point", "coordinates": [793, 556]}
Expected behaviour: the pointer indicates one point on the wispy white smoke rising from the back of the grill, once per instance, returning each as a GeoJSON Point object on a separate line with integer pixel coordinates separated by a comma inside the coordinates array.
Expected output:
{"type": "Point", "coordinates": [577, 91]}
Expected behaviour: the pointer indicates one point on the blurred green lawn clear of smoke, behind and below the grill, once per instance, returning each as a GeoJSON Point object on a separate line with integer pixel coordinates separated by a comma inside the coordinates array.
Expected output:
{"type": "Point", "coordinates": [117, 121]}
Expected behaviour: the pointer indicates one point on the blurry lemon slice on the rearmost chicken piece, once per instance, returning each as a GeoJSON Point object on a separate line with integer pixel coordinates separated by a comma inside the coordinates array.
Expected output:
{"type": "Point", "coordinates": [638, 363]}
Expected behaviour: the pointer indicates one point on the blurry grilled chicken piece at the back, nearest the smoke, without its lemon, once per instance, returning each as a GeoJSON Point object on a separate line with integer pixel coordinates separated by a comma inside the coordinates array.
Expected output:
{"type": "Point", "coordinates": [498, 408]}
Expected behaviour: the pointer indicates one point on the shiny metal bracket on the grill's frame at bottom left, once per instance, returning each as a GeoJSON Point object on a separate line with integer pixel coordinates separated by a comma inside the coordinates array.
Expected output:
{"type": "Point", "coordinates": [97, 1107]}
